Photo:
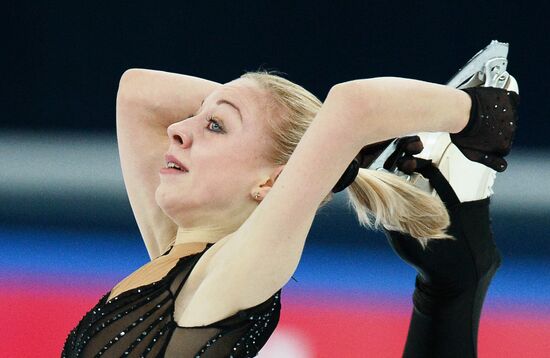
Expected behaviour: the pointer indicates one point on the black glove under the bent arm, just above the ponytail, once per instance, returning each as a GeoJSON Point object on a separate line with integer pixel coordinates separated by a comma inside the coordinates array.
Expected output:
{"type": "Point", "coordinates": [402, 158]}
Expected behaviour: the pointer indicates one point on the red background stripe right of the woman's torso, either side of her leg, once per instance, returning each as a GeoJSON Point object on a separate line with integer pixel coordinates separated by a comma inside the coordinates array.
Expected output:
{"type": "Point", "coordinates": [381, 332]}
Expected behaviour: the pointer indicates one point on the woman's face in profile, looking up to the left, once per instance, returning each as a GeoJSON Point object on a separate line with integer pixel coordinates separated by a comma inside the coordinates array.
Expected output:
{"type": "Point", "coordinates": [223, 146]}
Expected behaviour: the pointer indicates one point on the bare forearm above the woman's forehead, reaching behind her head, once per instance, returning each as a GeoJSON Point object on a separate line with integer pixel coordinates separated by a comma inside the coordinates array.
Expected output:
{"type": "Point", "coordinates": [161, 97]}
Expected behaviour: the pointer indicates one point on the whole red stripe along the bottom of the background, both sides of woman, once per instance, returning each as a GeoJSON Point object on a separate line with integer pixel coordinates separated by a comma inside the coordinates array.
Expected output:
{"type": "Point", "coordinates": [36, 321]}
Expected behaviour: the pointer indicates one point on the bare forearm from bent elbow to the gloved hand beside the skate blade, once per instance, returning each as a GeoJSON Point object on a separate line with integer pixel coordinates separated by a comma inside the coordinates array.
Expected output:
{"type": "Point", "coordinates": [388, 107]}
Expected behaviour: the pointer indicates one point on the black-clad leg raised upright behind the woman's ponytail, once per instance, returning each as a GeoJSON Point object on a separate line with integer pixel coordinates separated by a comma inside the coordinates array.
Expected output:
{"type": "Point", "coordinates": [453, 277]}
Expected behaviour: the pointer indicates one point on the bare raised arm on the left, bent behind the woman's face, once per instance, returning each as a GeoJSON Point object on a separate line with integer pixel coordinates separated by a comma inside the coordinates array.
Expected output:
{"type": "Point", "coordinates": [147, 103]}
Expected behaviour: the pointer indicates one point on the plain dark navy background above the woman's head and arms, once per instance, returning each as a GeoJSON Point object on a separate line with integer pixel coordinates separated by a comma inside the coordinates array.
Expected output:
{"type": "Point", "coordinates": [62, 60]}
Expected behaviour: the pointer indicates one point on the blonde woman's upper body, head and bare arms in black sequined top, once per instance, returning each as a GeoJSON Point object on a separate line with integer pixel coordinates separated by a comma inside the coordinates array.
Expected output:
{"type": "Point", "coordinates": [223, 223]}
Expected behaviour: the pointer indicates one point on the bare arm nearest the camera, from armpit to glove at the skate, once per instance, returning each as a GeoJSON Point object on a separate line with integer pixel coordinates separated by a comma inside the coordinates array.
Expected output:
{"type": "Point", "coordinates": [264, 252]}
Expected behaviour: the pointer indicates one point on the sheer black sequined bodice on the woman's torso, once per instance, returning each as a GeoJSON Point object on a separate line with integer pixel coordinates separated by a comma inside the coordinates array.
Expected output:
{"type": "Point", "coordinates": [140, 323]}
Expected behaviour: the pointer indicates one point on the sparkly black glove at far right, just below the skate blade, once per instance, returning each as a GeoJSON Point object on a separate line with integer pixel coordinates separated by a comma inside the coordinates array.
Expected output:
{"type": "Point", "coordinates": [488, 136]}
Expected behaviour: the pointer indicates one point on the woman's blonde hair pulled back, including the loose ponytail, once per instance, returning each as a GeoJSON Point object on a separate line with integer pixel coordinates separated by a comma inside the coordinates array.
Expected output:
{"type": "Point", "coordinates": [378, 198]}
